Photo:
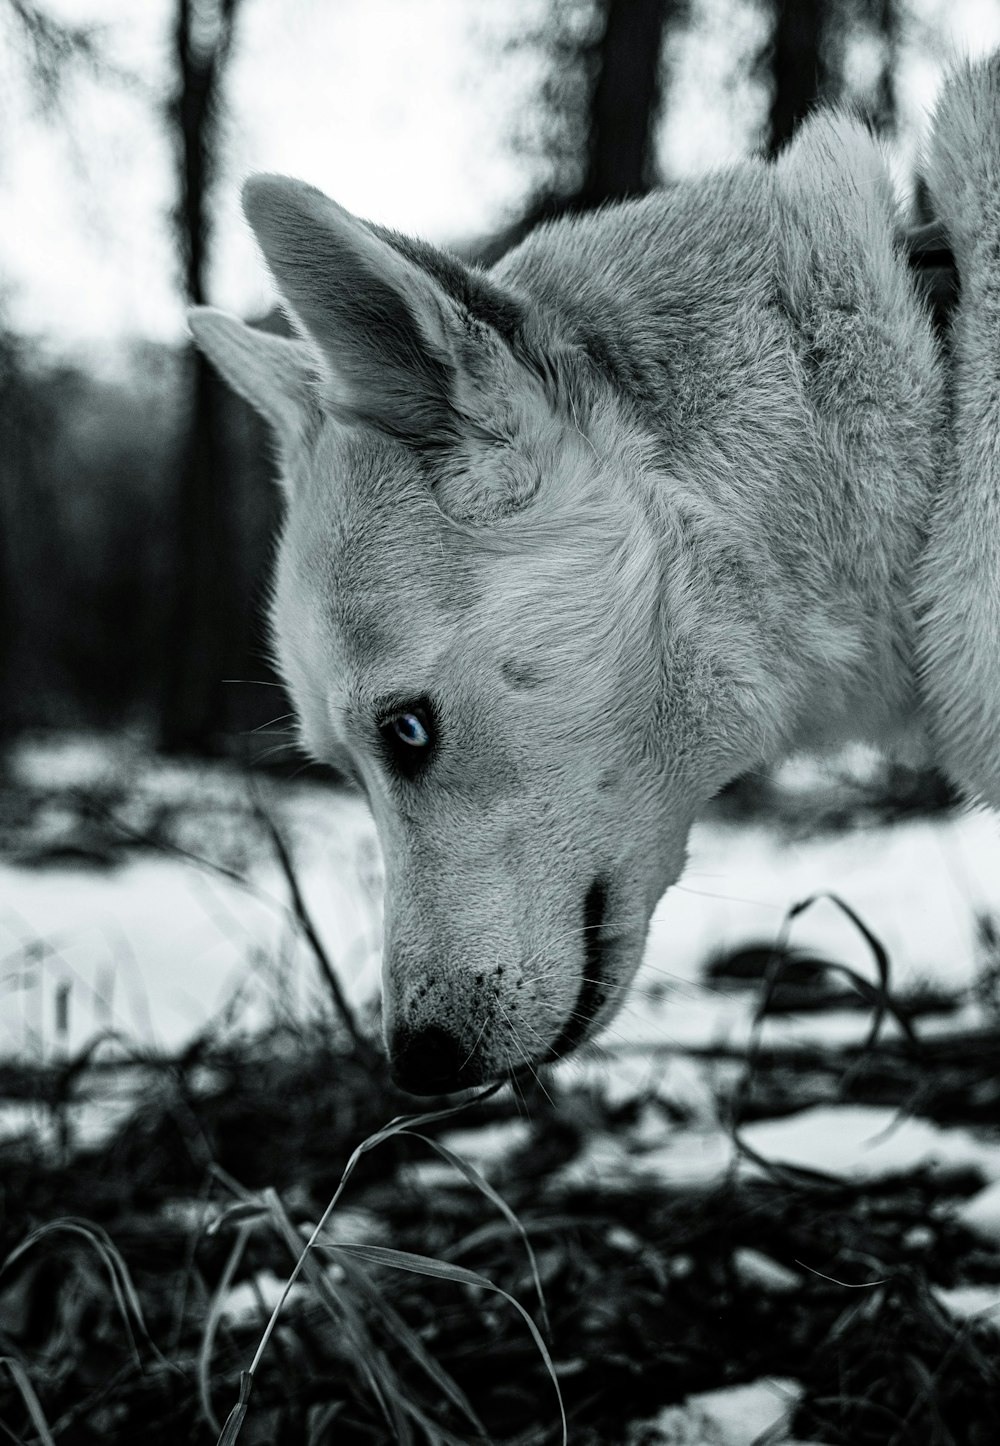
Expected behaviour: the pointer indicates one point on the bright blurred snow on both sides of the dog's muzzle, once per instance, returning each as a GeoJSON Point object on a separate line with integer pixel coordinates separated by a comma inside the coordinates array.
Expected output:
{"type": "Point", "coordinates": [160, 948]}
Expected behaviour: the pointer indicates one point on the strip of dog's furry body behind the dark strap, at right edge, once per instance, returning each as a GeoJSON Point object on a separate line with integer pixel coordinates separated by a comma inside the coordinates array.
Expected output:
{"type": "Point", "coordinates": [959, 591]}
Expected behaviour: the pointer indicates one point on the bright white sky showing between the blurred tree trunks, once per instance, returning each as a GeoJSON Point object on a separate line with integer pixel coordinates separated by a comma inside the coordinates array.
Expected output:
{"type": "Point", "coordinates": [404, 111]}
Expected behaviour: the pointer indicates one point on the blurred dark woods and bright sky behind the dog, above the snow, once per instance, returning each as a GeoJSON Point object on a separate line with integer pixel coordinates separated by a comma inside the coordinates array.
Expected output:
{"type": "Point", "coordinates": [137, 504]}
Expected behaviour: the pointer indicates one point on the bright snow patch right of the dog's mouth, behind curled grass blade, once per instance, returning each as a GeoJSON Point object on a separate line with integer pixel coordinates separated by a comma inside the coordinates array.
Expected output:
{"type": "Point", "coordinates": [918, 887]}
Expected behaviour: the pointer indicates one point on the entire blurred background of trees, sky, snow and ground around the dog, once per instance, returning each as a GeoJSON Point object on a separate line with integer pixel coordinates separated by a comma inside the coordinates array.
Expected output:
{"type": "Point", "coordinates": [190, 951]}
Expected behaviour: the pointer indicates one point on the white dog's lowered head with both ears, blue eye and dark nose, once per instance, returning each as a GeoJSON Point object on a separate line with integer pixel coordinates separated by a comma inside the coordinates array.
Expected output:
{"type": "Point", "coordinates": [493, 615]}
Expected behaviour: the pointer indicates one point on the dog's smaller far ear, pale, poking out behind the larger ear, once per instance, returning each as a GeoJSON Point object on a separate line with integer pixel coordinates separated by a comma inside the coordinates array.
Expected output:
{"type": "Point", "coordinates": [277, 375]}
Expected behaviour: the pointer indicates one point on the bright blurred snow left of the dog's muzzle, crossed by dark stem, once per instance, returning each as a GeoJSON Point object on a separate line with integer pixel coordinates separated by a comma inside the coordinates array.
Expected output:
{"type": "Point", "coordinates": [161, 948]}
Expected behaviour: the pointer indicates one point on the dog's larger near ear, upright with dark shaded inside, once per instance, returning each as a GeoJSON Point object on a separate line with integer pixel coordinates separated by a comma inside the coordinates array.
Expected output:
{"type": "Point", "coordinates": [388, 333]}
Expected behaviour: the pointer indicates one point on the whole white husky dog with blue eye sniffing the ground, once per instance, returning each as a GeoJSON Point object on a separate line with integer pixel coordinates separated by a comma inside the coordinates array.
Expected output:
{"type": "Point", "coordinates": [674, 489]}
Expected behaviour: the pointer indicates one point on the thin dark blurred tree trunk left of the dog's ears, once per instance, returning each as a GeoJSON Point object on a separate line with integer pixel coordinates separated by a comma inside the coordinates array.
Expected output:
{"type": "Point", "coordinates": [203, 611]}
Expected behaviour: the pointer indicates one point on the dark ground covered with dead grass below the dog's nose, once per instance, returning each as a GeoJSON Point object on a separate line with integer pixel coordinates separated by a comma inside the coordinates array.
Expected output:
{"type": "Point", "coordinates": [158, 1288]}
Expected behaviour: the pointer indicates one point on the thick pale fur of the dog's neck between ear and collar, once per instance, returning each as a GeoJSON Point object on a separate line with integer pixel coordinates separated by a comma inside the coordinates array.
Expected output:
{"type": "Point", "coordinates": [751, 346]}
